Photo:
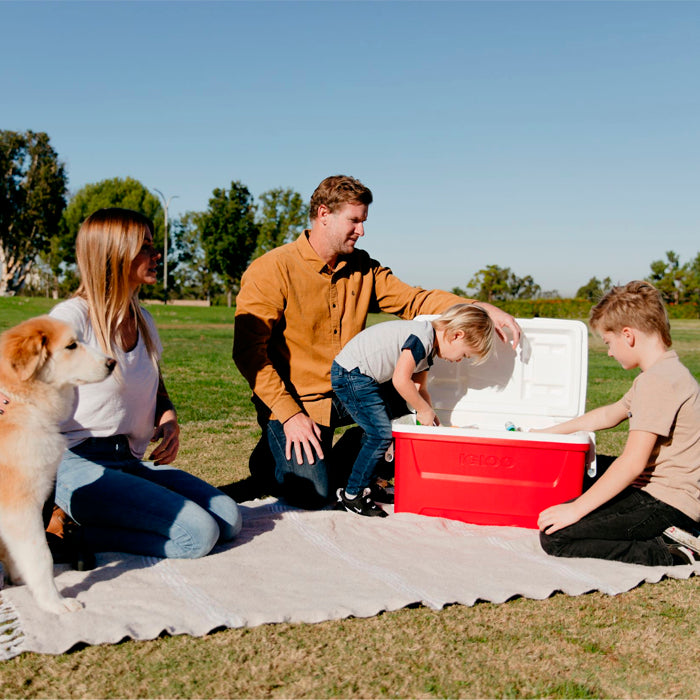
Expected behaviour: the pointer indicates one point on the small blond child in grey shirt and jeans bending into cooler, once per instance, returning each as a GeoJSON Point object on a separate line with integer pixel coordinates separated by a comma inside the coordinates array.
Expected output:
{"type": "Point", "coordinates": [400, 351]}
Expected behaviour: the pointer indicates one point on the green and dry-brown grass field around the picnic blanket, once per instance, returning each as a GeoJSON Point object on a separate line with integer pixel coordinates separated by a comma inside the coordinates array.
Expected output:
{"type": "Point", "coordinates": [642, 644]}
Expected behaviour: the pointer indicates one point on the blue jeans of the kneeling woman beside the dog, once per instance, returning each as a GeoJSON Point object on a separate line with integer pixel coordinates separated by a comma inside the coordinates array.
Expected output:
{"type": "Point", "coordinates": [126, 505]}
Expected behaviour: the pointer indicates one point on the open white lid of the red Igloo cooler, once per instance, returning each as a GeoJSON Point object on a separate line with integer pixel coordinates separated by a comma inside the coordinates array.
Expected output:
{"type": "Point", "coordinates": [545, 378]}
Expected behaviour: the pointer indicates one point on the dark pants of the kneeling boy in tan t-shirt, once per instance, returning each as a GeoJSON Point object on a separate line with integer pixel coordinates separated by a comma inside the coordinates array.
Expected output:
{"type": "Point", "coordinates": [627, 528]}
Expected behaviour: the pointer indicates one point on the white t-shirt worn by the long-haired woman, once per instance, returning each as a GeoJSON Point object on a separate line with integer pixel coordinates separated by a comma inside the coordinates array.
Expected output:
{"type": "Point", "coordinates": [125, 402]}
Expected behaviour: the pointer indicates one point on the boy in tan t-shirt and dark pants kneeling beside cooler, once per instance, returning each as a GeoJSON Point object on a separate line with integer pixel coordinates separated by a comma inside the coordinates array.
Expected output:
{"type": "Point", "coordinates": [645, 508]}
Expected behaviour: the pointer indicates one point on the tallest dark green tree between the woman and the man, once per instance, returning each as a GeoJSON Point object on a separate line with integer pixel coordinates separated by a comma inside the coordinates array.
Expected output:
{"type": "Point", "coordinates": [229, 234]}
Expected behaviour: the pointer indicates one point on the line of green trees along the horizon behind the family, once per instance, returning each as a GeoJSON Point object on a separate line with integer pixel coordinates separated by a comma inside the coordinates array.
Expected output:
{"type": "Point", "coordinates": [207, 251]}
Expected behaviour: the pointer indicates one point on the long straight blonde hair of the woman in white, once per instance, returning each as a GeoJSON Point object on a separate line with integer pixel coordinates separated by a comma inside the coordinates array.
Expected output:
{"type": "Point", "coordinates": [108, 242]}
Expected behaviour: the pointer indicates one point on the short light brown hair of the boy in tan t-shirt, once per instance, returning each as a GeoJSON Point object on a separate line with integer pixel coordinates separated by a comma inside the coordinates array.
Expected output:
{"type": "Point", "coordinates": [637, 304]}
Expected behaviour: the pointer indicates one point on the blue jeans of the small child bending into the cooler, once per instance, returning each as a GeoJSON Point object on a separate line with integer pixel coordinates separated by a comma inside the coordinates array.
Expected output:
{"type": "Point", "coordinates": [363, 399]}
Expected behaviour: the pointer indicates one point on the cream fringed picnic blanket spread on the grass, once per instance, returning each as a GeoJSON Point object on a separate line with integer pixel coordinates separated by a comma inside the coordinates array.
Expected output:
{"type": "Point", "coordinates": [290, 565]}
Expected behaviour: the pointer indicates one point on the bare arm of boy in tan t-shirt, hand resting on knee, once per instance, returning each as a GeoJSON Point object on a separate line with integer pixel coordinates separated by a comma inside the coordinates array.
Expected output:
{"type": "Point", "coordinates": [621, 473]}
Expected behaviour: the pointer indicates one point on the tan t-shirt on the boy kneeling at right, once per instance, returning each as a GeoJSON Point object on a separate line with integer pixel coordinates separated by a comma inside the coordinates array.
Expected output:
{"type": "Point", "coordinates": [665, 399]}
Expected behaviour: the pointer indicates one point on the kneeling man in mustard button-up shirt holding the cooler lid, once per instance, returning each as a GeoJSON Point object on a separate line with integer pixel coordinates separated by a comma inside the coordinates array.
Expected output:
{"type": "Point", "coordinates": [297, 307]}
